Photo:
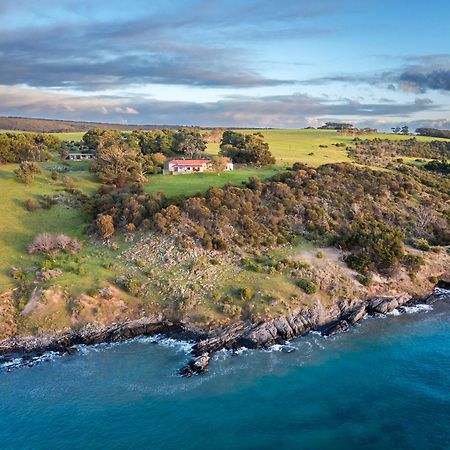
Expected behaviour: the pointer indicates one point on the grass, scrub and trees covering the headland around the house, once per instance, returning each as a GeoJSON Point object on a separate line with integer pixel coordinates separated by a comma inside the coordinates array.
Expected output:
{"type": "Point", "coordinates": [109, 240]}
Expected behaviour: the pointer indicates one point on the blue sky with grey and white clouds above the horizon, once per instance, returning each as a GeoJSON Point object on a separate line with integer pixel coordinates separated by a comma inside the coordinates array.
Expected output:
{"type": "Point", "coordinates": [241, 63]}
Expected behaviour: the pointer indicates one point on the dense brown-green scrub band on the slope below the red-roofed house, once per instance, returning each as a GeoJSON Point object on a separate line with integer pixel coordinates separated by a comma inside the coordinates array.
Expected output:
{"type": "Point", "coordinates": [321, 204]}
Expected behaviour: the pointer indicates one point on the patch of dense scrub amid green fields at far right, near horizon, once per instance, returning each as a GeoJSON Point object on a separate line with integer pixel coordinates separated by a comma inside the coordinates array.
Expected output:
{"type": "Point", "coordinates": [380, 152]}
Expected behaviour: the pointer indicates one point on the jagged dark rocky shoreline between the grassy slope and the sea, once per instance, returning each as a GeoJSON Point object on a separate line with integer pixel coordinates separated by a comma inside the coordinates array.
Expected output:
{"type": "Point", "coordinates": [328, 320]}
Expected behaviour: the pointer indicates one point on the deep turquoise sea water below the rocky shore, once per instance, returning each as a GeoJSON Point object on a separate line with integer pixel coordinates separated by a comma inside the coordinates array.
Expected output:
{"type": "Point", "coordinates": [384, 385]}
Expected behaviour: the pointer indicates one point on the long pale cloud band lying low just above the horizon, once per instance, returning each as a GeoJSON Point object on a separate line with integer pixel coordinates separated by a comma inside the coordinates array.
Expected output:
{"type": "Point", "coordinates": [294, 110]}
